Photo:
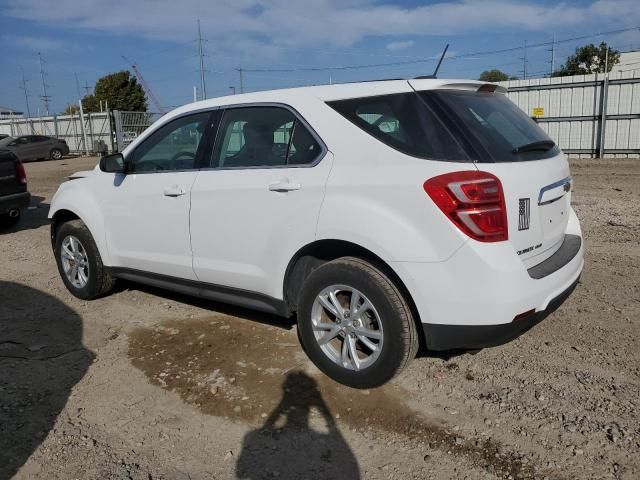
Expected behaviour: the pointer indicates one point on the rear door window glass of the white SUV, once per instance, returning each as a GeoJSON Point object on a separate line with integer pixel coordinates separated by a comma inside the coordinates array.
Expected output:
{"type": "Point", "coordinates": [251, 137]}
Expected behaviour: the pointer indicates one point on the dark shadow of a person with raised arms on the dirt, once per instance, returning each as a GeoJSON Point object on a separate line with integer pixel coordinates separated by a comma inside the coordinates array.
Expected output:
{"type": "Point", "coordinates": [288, 446]}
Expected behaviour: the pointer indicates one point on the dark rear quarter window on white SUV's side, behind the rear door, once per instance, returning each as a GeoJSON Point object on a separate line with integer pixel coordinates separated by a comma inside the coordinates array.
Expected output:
{"type": "Point", "coordinates": [405, 123]}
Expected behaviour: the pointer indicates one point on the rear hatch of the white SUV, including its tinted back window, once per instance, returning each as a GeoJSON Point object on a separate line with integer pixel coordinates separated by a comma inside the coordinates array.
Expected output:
{"type": "Point", "coordinates": [504, 141]}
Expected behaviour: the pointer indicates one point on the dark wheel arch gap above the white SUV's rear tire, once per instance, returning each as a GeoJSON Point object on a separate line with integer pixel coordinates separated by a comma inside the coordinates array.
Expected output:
{"type": "Point", "coordinates": [316, 253]}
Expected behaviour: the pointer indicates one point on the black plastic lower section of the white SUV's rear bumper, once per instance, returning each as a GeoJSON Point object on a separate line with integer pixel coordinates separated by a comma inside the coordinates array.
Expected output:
{"type": "Point", "coordinates": [440, 337]}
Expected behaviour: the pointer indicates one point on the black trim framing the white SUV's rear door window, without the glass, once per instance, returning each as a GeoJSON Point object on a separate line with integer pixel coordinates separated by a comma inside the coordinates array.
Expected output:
{"type": "Point", "coordinates": [297, 118]}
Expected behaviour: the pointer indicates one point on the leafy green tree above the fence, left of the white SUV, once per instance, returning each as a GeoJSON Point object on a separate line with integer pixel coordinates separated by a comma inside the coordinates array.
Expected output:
{"type": "Point", "coordinates": [120, 90]}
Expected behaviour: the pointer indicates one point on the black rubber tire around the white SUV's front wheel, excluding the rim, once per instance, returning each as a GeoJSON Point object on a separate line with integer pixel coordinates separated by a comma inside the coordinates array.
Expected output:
{"type": "Point", "coordinates": [100, 282]}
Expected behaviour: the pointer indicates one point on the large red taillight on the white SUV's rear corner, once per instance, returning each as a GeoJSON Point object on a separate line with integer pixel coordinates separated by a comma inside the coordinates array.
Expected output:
{"type": "Point", "coordinates": [473, 201]}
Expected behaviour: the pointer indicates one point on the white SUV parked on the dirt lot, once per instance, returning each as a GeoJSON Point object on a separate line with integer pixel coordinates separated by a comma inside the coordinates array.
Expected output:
{"type": "Point", "coordinates": [384, 214]}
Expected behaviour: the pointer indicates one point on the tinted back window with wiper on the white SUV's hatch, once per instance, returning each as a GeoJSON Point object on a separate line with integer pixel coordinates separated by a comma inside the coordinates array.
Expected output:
{"type": "Point", "coordinates": [494, 124]}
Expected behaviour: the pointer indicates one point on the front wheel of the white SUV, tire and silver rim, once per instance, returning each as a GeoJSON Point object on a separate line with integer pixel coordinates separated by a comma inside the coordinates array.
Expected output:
{"type": "Point", "coordinates": [79, 262]}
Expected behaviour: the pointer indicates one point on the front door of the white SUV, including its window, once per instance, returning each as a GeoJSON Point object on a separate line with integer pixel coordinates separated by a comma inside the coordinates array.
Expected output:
{"type": "Point", "coordinates": [147, 210]}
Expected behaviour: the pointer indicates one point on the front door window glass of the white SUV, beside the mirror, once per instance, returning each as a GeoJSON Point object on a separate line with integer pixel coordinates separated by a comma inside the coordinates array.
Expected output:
{"type": "Point", "coordinates": [172, 147]}
